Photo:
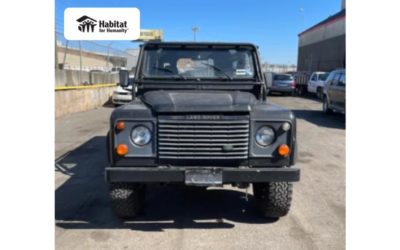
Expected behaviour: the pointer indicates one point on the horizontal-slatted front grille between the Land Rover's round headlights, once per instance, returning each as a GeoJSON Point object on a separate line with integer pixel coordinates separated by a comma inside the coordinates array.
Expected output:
{"type": "Point", "coordinates": [203, 139]}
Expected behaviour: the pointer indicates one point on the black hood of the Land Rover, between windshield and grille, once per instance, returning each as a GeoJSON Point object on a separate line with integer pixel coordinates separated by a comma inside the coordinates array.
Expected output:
{"type": "Point", "coordinates": [199, 101]}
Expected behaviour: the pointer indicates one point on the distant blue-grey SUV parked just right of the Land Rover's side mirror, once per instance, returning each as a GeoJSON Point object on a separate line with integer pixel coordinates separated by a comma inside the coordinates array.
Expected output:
{"type": "Point", "coordinates": [282, 83]}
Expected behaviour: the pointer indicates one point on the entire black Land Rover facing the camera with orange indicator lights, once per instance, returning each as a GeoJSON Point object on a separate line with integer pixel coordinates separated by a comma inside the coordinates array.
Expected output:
{"type": "Point", "coordinates": [199, 116]}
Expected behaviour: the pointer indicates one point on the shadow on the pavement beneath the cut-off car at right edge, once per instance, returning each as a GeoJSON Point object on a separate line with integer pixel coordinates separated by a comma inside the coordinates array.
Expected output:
{"type": "Point", "coordinates": [319, 118]}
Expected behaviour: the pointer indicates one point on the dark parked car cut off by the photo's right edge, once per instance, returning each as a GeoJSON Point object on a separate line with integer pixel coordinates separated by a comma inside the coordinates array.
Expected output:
{"type": "Point", "coordinates": [334, 98]}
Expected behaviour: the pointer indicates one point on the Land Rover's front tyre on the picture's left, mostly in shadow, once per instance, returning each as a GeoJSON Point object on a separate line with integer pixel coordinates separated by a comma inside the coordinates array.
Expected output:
{"type": "Point", "coordinates": [127, 199]}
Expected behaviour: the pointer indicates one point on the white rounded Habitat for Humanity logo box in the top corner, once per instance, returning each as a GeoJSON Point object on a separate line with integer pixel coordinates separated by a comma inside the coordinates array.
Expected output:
{"type": "Point", "coordinates": [101, 23]}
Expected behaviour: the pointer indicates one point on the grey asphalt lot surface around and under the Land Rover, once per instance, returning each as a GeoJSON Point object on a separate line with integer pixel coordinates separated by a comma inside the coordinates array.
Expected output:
{"type": "Point", "coordinates": [187, 218]}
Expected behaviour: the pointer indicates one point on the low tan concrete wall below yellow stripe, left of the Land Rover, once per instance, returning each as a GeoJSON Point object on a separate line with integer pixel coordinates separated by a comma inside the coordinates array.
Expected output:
{"type": "Point", "coordinates": [78, 100]}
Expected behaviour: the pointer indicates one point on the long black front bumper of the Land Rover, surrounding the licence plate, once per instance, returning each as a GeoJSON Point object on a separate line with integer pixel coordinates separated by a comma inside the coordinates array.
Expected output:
{"type": "Point", "coordinates": [177, 174]}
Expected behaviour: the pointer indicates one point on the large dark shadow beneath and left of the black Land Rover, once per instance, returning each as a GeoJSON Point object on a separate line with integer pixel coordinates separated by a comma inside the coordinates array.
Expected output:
{"type": "Point", "coordinates": [82, 201]}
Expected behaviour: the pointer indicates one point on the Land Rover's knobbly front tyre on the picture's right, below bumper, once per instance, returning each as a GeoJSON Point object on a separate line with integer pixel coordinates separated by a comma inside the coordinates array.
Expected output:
{"type": "Point", "coordinates": [274, 198]}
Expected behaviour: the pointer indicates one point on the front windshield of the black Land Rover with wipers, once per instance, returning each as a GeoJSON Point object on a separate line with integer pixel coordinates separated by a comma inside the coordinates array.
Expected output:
{"type": "Point", "coordinates": [185, 63]}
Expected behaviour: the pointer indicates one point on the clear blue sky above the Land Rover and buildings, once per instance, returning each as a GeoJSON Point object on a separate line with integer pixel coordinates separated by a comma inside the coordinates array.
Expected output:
{"type": "Point", "coordinates": [273, 25]}
